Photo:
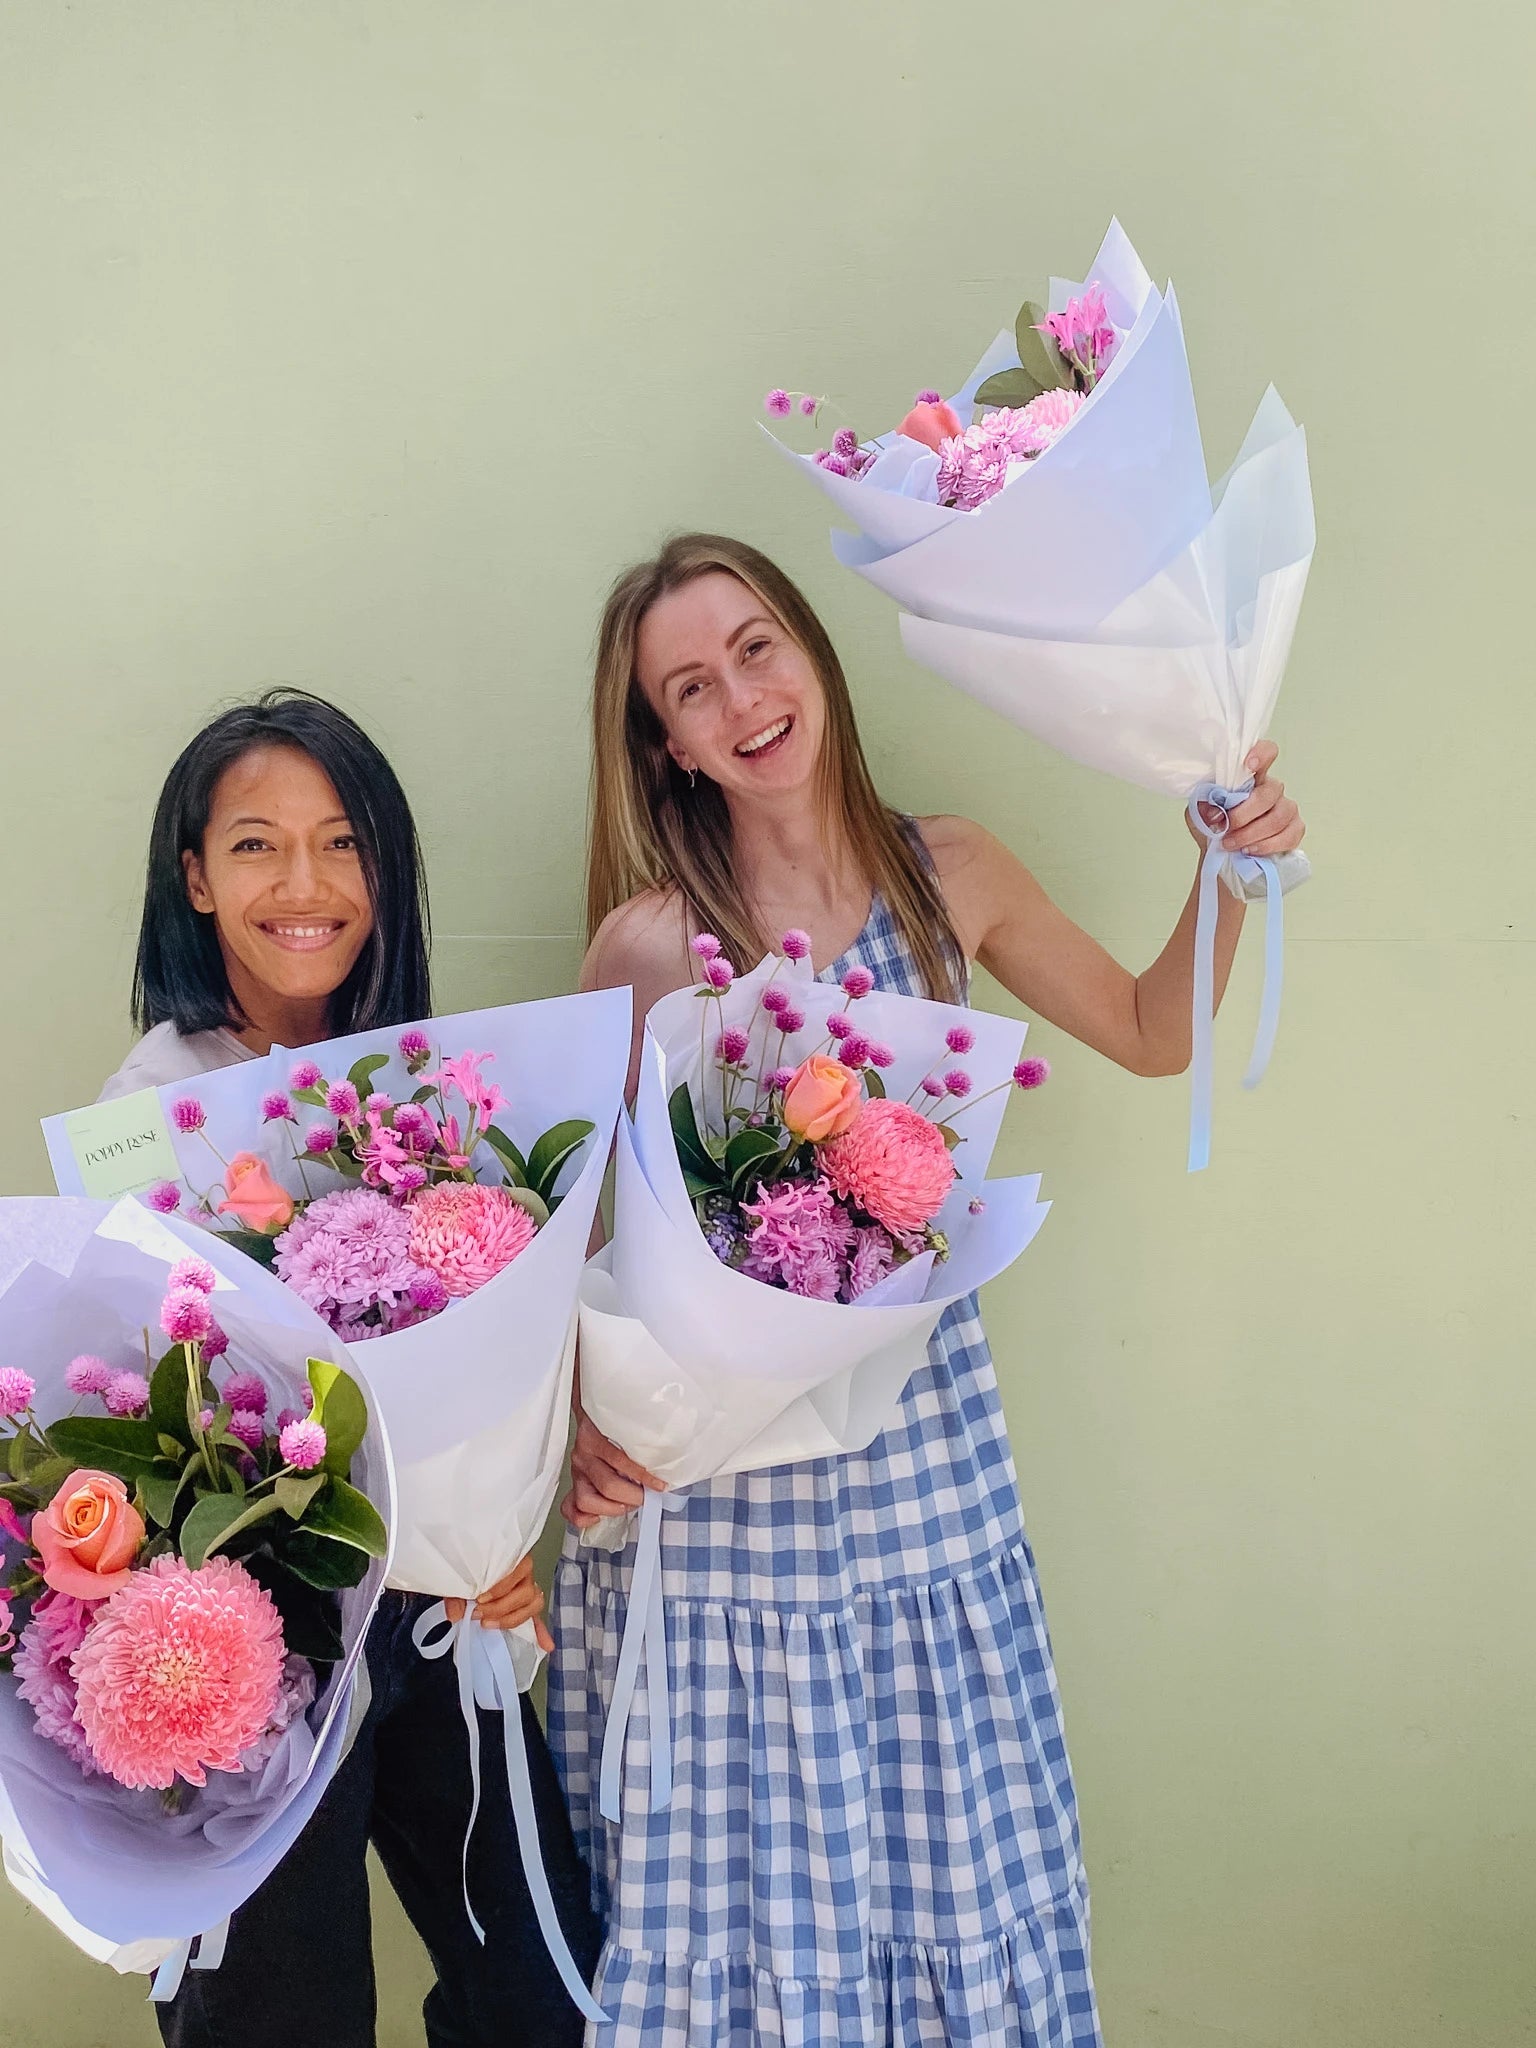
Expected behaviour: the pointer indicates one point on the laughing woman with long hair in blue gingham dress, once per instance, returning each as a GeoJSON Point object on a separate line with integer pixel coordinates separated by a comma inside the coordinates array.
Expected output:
{"type": "Point", "coordinates": [873, 1832]}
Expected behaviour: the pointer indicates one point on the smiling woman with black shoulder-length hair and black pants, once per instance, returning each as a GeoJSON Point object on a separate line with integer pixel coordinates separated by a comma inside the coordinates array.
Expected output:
{"type": "Point", "coordinates": [286, 904]}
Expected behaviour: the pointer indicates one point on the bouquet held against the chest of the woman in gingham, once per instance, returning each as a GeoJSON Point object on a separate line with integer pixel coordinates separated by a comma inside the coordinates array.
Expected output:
{"type": "Point", "coordinates": [790, 1228]}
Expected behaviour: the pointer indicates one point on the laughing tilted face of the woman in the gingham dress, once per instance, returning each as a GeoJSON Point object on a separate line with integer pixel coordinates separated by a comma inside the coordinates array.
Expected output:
{"type": "Point", "coordinates": [738, 697]}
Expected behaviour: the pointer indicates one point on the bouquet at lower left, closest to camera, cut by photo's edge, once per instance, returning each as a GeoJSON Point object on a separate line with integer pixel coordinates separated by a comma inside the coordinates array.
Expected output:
{"type": "Point", "coordinates": [196, 1531]}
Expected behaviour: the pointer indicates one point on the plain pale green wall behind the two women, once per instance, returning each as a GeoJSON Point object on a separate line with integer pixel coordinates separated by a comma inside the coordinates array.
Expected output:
{"type": "Point", "coordinates": [359, 345]}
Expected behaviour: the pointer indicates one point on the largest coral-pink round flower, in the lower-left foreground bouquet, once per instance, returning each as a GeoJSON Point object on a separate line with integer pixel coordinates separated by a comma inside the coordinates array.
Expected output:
{"type": "Point", "coordinates": [179, 1672]}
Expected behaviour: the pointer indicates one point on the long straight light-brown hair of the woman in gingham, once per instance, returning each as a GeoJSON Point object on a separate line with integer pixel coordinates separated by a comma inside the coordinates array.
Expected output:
{"type": "Point", "coordinates": [652, 828]}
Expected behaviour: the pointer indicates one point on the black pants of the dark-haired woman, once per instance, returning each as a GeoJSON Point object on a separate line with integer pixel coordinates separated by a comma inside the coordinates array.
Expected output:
{"type": "Point", "coordinates": [300, 1957]}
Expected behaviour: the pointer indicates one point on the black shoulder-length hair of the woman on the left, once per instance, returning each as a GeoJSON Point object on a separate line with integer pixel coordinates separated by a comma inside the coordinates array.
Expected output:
{"type": "Point", "coordinates": [179, 976]}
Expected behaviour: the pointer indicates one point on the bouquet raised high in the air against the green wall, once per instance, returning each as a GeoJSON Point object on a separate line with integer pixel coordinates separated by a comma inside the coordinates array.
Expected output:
{"type": "Point", "coordinates": [1058, 554]}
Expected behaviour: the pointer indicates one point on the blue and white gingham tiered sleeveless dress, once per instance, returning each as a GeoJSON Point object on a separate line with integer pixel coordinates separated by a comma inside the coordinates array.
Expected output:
{"type": "Point", "coordinates": [873, 1834]}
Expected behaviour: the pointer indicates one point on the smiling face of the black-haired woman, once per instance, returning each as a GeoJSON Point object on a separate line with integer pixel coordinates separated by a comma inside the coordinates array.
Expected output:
{"type": "Point", "coordinates": [282, 878]}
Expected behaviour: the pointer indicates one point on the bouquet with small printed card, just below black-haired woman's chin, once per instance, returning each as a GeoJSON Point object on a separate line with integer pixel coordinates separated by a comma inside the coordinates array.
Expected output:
{"type": "Point", "coordinates": [443, 1224]}
